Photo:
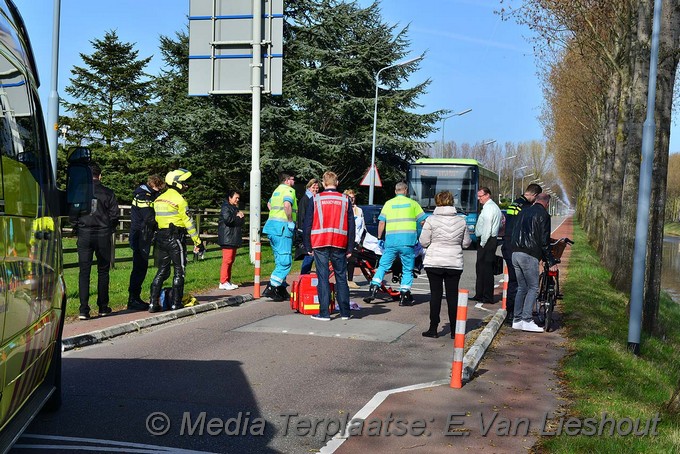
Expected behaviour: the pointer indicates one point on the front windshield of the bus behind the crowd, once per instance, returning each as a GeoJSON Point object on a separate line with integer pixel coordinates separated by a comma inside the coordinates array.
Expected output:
{"type": "Point", "coordinates": [426, 180]}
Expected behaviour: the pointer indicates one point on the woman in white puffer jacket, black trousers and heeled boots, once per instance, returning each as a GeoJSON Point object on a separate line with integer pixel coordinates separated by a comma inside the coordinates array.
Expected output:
{"type": "Point", "coordinates": [444, 235]}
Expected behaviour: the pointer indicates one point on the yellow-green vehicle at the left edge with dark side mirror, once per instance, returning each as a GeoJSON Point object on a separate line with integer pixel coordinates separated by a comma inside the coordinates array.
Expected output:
{"type": "Point", "coordinates": [32, 290]}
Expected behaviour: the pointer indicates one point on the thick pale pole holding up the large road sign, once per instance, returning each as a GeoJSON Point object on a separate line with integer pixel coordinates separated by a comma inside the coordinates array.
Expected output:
{"type": "Point", "coordinates": [255, 173]}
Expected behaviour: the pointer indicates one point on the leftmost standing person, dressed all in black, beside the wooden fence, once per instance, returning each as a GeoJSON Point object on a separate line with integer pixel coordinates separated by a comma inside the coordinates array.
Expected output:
{"type": "Point", "coordinates": [95, 232]}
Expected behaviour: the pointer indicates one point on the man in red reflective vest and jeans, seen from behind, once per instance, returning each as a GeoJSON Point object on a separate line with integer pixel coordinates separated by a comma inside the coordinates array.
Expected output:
{"type": "Point", "coordinates": [328, 232]}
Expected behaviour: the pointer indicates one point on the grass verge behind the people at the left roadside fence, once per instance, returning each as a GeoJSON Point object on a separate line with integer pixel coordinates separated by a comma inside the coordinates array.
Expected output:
{"type": "Point", "coordinates": [200, 276]}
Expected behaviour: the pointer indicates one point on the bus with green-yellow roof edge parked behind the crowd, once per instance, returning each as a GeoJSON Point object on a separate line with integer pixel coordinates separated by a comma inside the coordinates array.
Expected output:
{"type": "Point", "coordinates": [462, 177]}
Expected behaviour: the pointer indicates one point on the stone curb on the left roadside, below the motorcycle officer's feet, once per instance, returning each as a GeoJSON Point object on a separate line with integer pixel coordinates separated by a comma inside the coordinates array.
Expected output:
{"type": "Point", "coordinates": [95, 337]}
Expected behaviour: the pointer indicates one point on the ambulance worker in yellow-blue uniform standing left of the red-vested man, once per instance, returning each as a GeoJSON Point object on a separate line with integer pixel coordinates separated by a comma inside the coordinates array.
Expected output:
{"type": "Point", "coordinates": [280, 228]}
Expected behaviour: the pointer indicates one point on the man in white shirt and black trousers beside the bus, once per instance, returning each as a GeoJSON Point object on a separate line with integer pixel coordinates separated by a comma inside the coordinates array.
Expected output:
{"type": "Point", "coordinates": [486, 230]}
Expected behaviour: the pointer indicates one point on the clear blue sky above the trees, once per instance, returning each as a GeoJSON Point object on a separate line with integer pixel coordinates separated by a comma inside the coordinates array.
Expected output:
{"type": "Point", "coordinates": [474, 59]}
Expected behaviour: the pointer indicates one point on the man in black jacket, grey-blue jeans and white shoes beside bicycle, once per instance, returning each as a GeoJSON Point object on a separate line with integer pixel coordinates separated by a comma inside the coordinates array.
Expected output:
{"type": "Point", "coordinates": [530, 243]}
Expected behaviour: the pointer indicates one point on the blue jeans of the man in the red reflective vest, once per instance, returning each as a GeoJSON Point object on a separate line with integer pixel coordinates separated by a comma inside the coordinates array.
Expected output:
{"type": "Point", "coordinates": [337, 258]}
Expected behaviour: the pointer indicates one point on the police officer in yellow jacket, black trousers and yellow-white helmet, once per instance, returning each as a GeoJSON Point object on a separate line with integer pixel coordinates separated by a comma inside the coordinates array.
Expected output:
{"type": "Point", "coordinates": [173, 225]}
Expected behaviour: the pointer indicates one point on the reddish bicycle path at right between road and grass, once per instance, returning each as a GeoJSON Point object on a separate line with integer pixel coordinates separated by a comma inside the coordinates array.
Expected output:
{"type": "Point", "coordinates": [507, 404]}
